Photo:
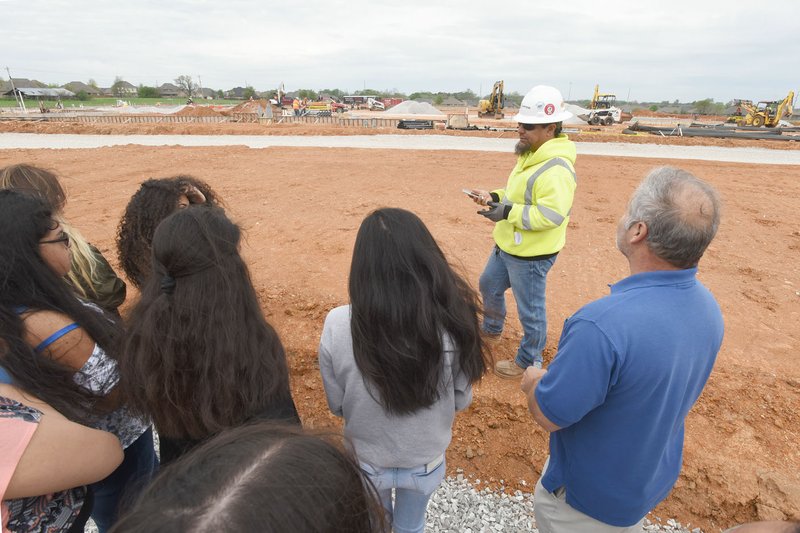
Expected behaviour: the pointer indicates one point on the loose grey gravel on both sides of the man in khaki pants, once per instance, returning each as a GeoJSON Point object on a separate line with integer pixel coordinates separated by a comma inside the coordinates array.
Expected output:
{"type": "Point", "coordinates": [458, 507]}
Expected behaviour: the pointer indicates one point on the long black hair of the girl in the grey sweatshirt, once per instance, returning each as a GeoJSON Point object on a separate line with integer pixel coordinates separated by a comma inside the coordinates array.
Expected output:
{"type": "Point", "coordinates": [404, 297]}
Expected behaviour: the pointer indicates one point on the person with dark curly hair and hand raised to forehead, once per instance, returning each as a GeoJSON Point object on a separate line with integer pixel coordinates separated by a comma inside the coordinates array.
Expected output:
{"type": "Point", "coordinates": [155, 200]}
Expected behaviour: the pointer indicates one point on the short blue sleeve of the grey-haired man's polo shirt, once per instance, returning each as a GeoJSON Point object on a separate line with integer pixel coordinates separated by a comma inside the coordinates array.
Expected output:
{"type": "Point", "coordinates": [579, 378]}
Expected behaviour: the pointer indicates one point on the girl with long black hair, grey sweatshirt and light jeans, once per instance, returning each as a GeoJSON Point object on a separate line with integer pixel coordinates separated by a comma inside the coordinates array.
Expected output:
{"type": "Point", "coordinates": [400, 360]}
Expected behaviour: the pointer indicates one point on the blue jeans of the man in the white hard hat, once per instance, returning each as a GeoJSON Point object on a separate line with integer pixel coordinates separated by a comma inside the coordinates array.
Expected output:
{"type": "Point", "coordinates": [527, 280]}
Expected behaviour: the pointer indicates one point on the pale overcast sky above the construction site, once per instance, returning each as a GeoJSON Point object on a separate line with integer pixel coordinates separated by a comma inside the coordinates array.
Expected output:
{"type": "Point", "coordinates": [645, 50]}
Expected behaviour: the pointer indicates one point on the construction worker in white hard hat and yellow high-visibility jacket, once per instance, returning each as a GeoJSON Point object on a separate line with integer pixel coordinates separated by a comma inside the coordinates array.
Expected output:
{"type": "Point", "coordinates": [530, 218]}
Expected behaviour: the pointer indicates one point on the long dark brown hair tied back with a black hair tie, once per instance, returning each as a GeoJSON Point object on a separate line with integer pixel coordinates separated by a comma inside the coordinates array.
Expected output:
{"type": "Point", "coordinates": [199, 356]}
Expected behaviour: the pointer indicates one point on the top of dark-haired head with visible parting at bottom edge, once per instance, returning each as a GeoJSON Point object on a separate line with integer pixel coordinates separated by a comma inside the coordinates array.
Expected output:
{"type": "Point", "coordinates": [260, 477]}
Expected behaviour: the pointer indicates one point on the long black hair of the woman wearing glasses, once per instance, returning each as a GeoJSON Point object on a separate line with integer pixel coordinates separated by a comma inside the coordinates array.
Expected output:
{"type": "Point", "coordinates": [27, 282]}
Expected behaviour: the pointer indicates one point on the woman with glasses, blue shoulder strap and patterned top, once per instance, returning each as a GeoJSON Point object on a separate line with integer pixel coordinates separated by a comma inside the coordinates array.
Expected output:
{"type": "Point", "coordinates": [59, 345]}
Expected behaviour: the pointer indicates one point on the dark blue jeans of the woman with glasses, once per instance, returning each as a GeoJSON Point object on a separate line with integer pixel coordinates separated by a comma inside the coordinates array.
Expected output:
{"type": "Point", "coordinates": [111, 494]}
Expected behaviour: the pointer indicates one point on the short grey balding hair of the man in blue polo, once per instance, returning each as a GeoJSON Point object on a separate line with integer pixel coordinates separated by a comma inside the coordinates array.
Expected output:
{"type": "Point", "coordinates": [681, 213]}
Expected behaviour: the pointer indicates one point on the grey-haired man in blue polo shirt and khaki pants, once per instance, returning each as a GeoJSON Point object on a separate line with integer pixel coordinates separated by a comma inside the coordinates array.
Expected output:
{"type": "Point", "coordinates": [629, 367]}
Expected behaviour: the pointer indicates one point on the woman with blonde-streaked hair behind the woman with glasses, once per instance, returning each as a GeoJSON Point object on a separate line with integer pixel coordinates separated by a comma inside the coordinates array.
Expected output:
{"type": "Point", "coordinates": [90, 275]}
